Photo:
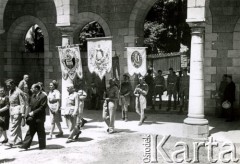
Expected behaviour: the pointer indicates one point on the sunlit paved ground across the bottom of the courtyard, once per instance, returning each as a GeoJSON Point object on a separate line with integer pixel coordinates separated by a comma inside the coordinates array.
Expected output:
{"type": "Point", "coordinates": [124, 146]}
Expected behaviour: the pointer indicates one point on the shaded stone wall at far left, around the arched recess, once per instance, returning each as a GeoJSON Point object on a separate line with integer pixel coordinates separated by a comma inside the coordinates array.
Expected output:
{"type": "Point", "coordinates": [19, 16]}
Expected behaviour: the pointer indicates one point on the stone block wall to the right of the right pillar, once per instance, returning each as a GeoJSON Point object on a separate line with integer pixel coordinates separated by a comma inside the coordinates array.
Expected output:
{"type": "Point", "coordinates": [221, 48]}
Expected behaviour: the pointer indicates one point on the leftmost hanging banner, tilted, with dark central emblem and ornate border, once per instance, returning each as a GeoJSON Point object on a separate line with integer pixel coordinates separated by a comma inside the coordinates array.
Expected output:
{"type": "Point", "coordinates": [70, 61]}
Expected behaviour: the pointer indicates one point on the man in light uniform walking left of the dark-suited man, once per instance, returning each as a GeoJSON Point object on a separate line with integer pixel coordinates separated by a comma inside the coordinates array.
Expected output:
{"type": "Point", "coordinates": [17, 112]}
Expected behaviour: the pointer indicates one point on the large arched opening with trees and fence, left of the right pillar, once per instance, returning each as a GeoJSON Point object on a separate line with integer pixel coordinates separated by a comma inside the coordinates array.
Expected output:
{"type": "Point", "coordinates": [161, 26]}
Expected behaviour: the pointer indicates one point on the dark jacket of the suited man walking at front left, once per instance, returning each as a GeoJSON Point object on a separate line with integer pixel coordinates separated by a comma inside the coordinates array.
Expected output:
{"type": "Point", "coordinates": [38, 105]}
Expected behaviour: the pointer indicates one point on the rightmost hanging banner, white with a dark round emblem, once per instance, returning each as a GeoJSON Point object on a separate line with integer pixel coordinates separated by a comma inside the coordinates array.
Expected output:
{"type": "Point", "coordinates": [137, 60]}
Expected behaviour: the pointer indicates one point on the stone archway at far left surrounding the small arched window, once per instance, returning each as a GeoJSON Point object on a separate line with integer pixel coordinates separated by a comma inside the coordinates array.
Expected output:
{"type": "Point", "coordinates": [17, 59]}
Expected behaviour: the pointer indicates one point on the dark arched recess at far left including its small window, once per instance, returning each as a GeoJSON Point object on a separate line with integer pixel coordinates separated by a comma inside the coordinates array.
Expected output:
{"type": "Point", "coordinates": [25, 62]}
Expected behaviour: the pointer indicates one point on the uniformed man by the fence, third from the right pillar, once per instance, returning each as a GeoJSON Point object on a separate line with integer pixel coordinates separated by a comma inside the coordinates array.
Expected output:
{"type": "Point", "coordinates": [159, 83]}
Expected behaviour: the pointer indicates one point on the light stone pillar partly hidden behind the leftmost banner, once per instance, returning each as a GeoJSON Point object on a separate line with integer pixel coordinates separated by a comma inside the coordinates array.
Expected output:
{"type": "Point", "coordinates": [67, 39]}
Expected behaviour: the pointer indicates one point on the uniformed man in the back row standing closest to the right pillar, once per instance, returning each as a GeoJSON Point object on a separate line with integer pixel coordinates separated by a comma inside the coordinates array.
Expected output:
{"type": "Point", "coordinates": [184, 90]}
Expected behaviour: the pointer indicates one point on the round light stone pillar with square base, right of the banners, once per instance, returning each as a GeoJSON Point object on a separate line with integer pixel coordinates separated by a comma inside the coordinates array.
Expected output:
{"type": "Point", "coordinates": [196, 126]}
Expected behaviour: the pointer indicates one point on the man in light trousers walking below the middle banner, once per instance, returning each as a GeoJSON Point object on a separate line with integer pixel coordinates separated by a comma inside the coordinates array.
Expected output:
{"type": "Point", "coordinates": [110, 105]}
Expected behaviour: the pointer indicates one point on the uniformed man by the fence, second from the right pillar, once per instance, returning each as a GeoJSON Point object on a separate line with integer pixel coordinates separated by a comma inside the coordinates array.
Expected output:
{"type": "Point", "coordinates": [171, 88]}
